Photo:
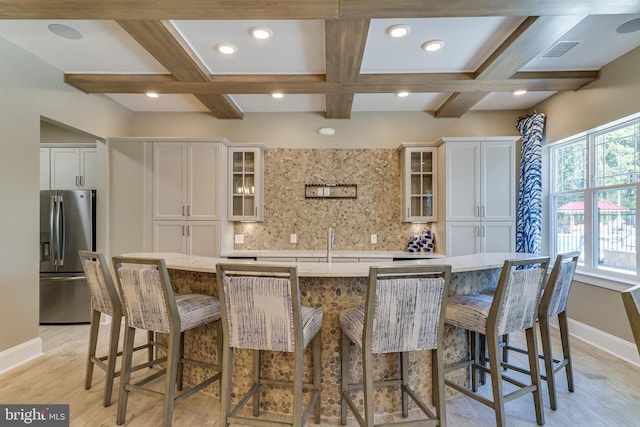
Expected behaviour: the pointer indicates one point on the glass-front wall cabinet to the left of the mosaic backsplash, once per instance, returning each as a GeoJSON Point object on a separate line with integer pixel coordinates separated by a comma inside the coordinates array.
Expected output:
{"type": "Point", "coordinates": [246, 182]}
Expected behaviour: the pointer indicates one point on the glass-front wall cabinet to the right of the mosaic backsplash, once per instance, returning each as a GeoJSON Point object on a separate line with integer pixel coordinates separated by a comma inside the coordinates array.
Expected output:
{"type": "Point", "coordinates": [419, 182]}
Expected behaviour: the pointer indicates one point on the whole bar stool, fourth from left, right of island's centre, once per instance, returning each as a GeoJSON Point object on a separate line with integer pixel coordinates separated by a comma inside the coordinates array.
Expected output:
{"type": "Point", "coordinates": [403, 312]}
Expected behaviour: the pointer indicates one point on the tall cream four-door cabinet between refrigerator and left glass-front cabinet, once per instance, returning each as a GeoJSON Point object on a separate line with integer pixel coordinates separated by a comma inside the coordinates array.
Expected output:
{"type": "Point", "coordinates": [187, 197]}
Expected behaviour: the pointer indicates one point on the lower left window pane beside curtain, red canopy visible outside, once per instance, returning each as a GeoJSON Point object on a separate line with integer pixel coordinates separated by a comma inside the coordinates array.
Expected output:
{"type": "Point", "coordinates": [569, 211]}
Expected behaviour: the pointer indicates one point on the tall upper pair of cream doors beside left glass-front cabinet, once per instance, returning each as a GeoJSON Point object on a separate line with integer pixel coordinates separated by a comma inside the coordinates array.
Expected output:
{"type": "Point", "coordinates": [186, 181]}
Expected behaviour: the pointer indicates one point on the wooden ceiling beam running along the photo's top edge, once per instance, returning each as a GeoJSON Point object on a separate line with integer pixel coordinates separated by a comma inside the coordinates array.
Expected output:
{"type": "Point", "coordinates": [307, 9]}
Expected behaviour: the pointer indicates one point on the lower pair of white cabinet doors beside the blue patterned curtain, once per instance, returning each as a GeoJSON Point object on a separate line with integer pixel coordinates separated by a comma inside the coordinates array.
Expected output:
{"type": "Point", "coordinates": [466, 238]}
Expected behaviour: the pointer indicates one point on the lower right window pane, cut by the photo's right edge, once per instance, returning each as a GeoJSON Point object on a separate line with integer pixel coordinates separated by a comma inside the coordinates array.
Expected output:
{"type": "Point", "coordinates": [616, 229]}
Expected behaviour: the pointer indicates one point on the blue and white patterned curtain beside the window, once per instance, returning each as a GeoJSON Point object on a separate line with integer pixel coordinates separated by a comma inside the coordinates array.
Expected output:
{"type": "Point", "coordinates": [529, 222]}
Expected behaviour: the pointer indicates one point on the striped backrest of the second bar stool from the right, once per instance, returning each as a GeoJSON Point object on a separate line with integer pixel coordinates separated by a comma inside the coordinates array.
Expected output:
{"type": "Point", "coordinates": [515, 304]}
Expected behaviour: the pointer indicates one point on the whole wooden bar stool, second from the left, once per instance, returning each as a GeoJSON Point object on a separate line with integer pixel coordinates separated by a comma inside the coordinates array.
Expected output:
{"type": "Point", "coordinates": [151, 304]}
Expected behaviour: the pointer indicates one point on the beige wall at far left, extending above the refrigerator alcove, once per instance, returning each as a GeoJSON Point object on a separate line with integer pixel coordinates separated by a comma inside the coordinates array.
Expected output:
{"type": "Point", "coordinates": [30, 89]}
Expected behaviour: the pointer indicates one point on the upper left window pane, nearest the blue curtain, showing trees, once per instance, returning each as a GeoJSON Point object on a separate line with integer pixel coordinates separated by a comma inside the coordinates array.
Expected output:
{"type": "Point", "coordinates": [569, 166]}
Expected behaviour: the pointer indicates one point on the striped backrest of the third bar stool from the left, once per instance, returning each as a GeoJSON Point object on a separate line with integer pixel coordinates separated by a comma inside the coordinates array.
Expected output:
{"type": "Point", "coordinates": [262, 312]}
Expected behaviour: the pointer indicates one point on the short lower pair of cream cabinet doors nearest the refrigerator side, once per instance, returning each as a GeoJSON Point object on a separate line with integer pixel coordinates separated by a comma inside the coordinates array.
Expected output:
{"type": "Point", "coordinates": [201, 238]}
